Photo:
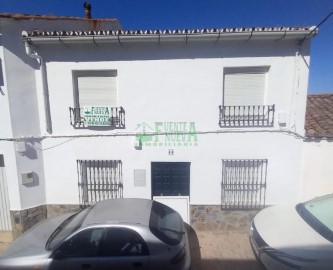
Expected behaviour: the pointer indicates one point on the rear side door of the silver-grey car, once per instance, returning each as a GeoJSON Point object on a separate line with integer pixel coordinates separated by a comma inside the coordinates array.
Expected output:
{"type": "Point", "coordinates": [123, 248]}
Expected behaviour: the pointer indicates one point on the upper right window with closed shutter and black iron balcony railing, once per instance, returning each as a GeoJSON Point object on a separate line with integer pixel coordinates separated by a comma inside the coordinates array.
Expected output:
{"type": "Point", "coordinates": [244, 103]}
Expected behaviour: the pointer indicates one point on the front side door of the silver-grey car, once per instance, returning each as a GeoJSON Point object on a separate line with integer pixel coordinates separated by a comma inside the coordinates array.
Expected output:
{"type": "Point", "coordinates": [79, 252]}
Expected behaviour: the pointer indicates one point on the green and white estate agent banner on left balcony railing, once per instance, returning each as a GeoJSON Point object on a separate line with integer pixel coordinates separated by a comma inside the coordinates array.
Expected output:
{"type": "Point", "coordinates": [97, 116]}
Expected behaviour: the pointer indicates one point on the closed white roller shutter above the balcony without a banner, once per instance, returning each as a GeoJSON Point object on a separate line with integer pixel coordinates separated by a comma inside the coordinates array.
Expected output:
{"type": "Point", "coordinates": [244, 89]}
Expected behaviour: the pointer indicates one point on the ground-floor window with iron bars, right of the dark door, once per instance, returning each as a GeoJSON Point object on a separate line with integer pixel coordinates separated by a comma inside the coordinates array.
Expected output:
{"type": "Point", "coordinates": [243, 183]}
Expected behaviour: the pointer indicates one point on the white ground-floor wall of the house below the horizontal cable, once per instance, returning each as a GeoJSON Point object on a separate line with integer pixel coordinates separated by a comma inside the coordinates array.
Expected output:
{"type": "Point", "coordinates": [282, 152]}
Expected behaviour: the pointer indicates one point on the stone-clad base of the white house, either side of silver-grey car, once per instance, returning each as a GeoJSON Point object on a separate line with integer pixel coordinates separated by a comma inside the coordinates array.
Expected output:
{"type": "Point", "coordinates": [203, 218]}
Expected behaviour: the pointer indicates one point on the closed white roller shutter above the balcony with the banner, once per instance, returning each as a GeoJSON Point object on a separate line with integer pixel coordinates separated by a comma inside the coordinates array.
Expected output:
{"type": "Point", "coordinates": [97, 91]}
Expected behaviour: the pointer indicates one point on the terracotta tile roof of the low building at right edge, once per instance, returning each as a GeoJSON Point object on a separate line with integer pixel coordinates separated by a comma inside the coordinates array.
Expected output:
{"type": "Point", "coordinates": [319, 115]}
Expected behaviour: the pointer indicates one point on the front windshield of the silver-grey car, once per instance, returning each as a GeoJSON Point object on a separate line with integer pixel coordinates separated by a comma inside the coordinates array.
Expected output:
{"type": "Point", "coordinates": [70, 225]}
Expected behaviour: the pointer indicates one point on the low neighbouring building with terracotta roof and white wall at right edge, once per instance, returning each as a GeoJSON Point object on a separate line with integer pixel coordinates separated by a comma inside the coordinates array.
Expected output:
{"type": "Point", "coordinates": [318, 146]}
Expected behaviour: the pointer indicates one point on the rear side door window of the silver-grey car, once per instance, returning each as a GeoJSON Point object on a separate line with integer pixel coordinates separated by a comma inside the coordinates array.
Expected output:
{"type": "Point", "coordinates": [123, 242]}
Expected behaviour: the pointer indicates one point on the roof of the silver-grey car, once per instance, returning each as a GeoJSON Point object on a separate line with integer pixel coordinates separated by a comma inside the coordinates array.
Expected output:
{"type": "Point", "coordinates": [120, 211]}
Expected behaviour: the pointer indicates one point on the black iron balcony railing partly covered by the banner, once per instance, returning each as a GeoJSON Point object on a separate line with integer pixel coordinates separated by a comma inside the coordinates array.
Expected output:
{"type": "Point", "coordinates": [117, 118]}
